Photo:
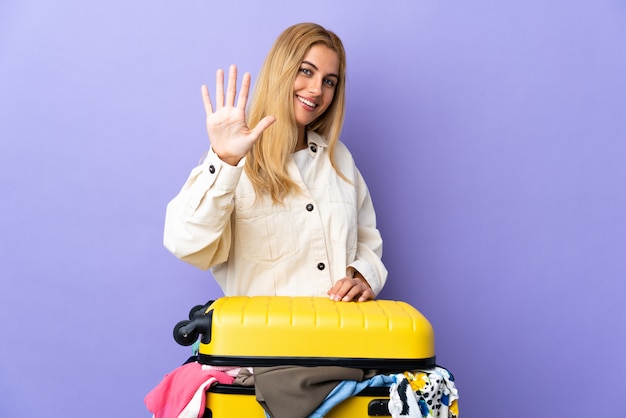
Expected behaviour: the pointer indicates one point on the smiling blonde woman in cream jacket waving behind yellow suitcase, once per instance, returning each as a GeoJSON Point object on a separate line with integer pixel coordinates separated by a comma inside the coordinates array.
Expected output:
{"type": "Point", "coordinates": [278, 206]}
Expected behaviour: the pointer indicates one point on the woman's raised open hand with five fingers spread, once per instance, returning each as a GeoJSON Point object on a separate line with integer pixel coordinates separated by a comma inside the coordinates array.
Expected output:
{"type": "Point", "coordinates": [229, 134]}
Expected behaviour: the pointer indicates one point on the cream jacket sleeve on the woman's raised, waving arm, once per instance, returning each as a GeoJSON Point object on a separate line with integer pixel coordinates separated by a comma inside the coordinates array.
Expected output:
{"type": "Point", "coordinates": [198, 220]}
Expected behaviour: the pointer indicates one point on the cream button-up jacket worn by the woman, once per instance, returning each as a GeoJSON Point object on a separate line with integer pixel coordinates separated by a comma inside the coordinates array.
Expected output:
{"type": "Point", "coordinates": [257, 248]}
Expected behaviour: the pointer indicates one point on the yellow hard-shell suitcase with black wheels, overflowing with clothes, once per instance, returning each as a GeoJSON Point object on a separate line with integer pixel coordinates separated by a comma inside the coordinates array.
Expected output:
{"type": "Point", "coordinates": [390, 336]}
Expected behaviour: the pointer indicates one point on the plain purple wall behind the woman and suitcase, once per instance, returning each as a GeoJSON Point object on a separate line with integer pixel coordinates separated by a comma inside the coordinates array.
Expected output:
{"type": "Point", "coordinates": [492, 136]}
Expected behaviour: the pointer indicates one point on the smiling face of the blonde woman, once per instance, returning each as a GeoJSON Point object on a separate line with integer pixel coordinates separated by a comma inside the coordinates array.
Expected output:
{"type": "Point", "coordinates": [315, 84]}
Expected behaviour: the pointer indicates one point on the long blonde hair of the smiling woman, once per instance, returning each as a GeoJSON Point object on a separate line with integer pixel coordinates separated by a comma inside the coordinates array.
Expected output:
{"type": "Point", "coordinates": [266, 162]}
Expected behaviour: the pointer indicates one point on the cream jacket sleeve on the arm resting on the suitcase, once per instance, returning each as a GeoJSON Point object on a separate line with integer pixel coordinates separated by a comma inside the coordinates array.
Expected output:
{"type": "Point", "coordinates": [369, 252]}
